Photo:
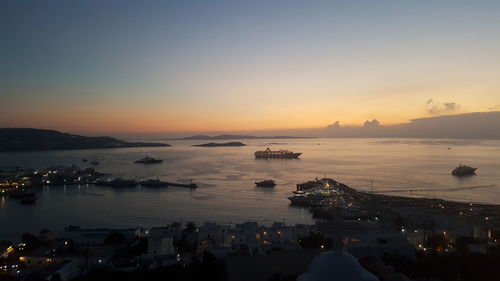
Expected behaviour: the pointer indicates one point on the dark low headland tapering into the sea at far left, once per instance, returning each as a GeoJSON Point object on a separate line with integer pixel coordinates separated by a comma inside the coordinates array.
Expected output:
{"type": "Point", "coordinates": [19, 139]}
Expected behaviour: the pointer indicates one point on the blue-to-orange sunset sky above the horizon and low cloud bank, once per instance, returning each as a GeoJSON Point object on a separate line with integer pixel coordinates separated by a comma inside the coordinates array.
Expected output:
{"type": "Point", "coordinates": [173, 66]}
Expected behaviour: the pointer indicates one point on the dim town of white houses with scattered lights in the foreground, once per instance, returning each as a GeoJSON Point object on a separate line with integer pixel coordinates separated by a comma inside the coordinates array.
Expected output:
{"type": "Point", "coordinates": [77, 252]}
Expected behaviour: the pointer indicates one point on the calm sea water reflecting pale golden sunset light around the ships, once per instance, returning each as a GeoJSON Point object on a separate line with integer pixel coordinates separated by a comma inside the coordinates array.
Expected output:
{"type": "Point", "coordinates": [226, 176]}
